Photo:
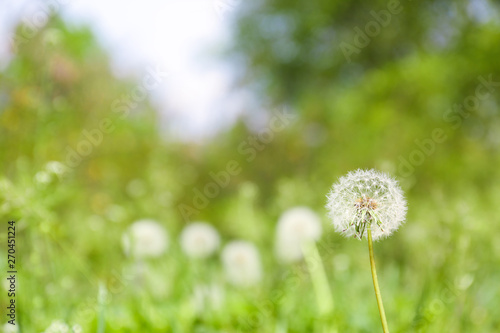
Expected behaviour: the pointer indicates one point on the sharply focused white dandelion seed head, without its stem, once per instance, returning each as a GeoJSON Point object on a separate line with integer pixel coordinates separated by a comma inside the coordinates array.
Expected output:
{"type": "Point", "coordinates": [366, 199]}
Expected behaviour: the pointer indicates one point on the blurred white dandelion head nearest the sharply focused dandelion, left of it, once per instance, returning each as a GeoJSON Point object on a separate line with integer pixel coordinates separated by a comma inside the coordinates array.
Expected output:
{"type": "Point", "coordinates": [295, 227]}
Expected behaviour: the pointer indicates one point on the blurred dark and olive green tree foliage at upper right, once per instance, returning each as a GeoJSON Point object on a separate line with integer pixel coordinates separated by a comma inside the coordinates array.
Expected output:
{"type": "Point", "coordinates": [398, 88]}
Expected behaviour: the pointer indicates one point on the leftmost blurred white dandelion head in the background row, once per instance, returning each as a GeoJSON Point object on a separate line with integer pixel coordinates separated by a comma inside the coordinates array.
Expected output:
{"type": "Point", "coordinates": [145, 238]}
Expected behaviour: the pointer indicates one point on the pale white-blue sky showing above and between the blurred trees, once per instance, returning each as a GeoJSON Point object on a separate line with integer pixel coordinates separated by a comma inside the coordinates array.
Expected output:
{"type": "Point", "coordinates": [183, 37]}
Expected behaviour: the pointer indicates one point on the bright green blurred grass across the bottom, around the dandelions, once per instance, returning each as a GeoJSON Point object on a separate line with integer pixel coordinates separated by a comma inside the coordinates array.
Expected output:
{"type": "Point", "coordinates": [438, 273]}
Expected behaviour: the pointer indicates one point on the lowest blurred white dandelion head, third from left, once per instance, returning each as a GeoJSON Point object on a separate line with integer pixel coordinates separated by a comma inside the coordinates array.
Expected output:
{"type": "Point", "coordinates": [242, 263]}
